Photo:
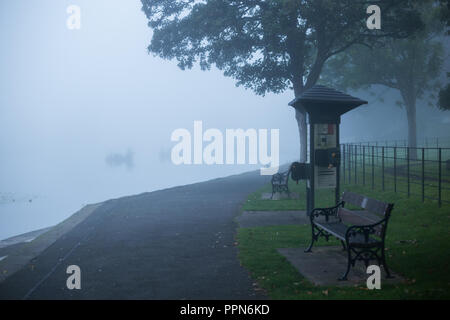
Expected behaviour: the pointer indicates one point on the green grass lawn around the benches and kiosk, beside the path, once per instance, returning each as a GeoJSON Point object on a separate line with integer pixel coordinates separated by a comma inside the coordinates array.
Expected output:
{"type": "Point", "coordinates": [418, 248]}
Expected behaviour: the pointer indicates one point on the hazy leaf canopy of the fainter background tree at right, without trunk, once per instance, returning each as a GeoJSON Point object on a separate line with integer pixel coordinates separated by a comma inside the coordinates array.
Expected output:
{"type": "Point", "coordinates": [411, 66]}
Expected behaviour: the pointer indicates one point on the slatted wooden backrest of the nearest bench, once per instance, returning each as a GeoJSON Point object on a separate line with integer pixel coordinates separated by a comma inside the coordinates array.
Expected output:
{"type": "Point", "coordinates": [374, 211]}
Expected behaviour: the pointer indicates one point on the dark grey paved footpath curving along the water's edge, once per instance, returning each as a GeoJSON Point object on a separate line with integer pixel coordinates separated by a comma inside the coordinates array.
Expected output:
{"type": "Point", "coordinates": [176, 243]}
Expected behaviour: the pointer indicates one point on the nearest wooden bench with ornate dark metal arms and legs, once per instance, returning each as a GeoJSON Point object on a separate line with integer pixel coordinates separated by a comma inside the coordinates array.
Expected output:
{"type": "Point", "coordinates": [362, 233]}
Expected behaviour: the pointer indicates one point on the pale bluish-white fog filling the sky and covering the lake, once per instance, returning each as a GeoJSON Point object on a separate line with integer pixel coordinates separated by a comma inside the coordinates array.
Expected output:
{"type": "Point", "coordinates": [87, 115]}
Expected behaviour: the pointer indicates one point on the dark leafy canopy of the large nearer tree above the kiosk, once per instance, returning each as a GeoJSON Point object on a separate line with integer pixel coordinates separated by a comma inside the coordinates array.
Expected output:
{"type": "Point", "coordinates": [269, 45]}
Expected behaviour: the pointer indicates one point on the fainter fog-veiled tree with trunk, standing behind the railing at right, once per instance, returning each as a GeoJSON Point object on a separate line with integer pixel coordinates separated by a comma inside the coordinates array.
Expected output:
{"type": "Point", "coordinates": [412, 66]}
